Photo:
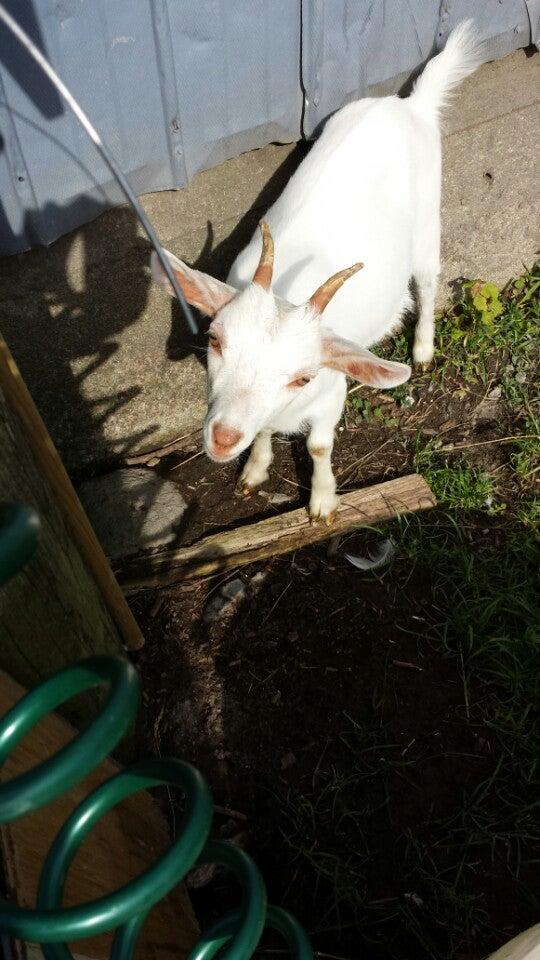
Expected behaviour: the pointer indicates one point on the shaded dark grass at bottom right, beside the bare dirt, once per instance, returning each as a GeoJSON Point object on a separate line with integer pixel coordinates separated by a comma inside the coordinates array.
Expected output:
{"type": "Point", "coordinates": [484, 620]}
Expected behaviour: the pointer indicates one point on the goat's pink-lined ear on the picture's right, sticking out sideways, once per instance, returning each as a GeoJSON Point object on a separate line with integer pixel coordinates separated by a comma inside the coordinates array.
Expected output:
{"type": "Point", "coordinates": [361, 365]}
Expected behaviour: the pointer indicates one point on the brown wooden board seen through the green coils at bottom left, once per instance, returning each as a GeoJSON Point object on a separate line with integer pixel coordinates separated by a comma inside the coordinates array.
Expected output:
{"type": "Point", "coordinates": [128, 840]}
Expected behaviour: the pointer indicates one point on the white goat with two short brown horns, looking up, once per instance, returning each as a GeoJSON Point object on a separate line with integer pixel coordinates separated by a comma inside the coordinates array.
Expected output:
{"type": "Point", "coordinates": [369, 189]}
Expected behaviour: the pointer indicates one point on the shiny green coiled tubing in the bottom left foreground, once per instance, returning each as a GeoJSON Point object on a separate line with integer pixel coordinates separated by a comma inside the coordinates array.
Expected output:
{"type": "Point", "coordinates": [235, 936]}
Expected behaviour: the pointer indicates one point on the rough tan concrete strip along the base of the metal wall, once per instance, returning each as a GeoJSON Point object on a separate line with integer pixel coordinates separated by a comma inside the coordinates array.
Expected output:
{"type": "Point", "coordinates": [106, 356]}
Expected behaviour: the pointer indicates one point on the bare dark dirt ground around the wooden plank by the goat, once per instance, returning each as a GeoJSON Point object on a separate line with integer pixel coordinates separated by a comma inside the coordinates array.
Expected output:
{"type": "Point", "coordinates": [314, 667]}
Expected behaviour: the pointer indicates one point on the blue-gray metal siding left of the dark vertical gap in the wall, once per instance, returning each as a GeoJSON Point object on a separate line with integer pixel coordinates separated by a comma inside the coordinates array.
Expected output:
{"type": "Point", "coordinates": [173, 86]}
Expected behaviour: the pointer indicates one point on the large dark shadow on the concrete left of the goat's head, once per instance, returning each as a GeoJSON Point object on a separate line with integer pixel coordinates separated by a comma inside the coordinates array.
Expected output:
{"type": "Point", "coordinates": [66, 310]}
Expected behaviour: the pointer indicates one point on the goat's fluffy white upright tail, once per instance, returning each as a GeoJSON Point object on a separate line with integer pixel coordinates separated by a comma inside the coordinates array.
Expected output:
{"type": "Point", "coordinates": [462, 55]}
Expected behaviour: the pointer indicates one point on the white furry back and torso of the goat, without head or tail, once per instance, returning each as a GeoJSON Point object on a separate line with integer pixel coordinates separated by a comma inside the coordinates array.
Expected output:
{"type": "Point", "coordinates": [354, 197]}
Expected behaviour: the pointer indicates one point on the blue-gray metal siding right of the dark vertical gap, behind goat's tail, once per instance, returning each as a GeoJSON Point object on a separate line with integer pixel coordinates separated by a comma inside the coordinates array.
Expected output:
{"type": "Point", "coordinates": [353, 47]}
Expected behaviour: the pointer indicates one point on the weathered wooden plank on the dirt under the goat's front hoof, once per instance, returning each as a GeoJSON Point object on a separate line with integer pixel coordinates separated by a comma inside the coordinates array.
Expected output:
{"type": "Point", "coordinates": [277, 535]}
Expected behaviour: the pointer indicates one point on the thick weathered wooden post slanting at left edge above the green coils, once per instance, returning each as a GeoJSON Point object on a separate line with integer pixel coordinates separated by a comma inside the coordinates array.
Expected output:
{"type": "Point", "coordinates": [66, 603]}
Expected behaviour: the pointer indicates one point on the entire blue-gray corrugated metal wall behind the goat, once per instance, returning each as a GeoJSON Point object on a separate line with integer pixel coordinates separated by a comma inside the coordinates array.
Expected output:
{"type": "Point", "coordinates": [176, 86]}
